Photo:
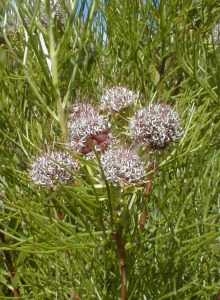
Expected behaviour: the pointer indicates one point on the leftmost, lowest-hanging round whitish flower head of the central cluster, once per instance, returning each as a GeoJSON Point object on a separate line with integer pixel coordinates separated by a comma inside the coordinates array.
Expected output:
{"type": "Point", "coordinates": [53, 167]}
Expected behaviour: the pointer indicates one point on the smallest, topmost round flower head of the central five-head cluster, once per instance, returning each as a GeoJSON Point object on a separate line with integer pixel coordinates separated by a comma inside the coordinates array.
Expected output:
{"type": "Point", "coordinates": [117, 98]}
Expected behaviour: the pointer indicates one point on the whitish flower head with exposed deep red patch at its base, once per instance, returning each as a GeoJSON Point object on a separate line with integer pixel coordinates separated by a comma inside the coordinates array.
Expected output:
{"type": "Point", "coordinates": [88, 129]}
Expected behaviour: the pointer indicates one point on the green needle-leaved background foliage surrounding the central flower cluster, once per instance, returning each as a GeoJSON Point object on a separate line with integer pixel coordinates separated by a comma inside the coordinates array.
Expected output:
{"type": "Point", "coordinates": [51, 56]}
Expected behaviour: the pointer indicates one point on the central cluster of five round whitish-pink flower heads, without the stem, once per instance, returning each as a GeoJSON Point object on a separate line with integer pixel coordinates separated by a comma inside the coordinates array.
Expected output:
{"type": "Point", "coordinates": [155, 126]}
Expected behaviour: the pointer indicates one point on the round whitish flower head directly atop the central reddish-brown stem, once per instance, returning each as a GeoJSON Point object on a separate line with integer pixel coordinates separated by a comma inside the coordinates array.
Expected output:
{"type": "Point", "coordinates": [122, 166]}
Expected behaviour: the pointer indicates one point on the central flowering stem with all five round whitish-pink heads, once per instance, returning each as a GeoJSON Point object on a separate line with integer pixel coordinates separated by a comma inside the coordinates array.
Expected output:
{"type": "Point", "coordinates": [122, 169]}
